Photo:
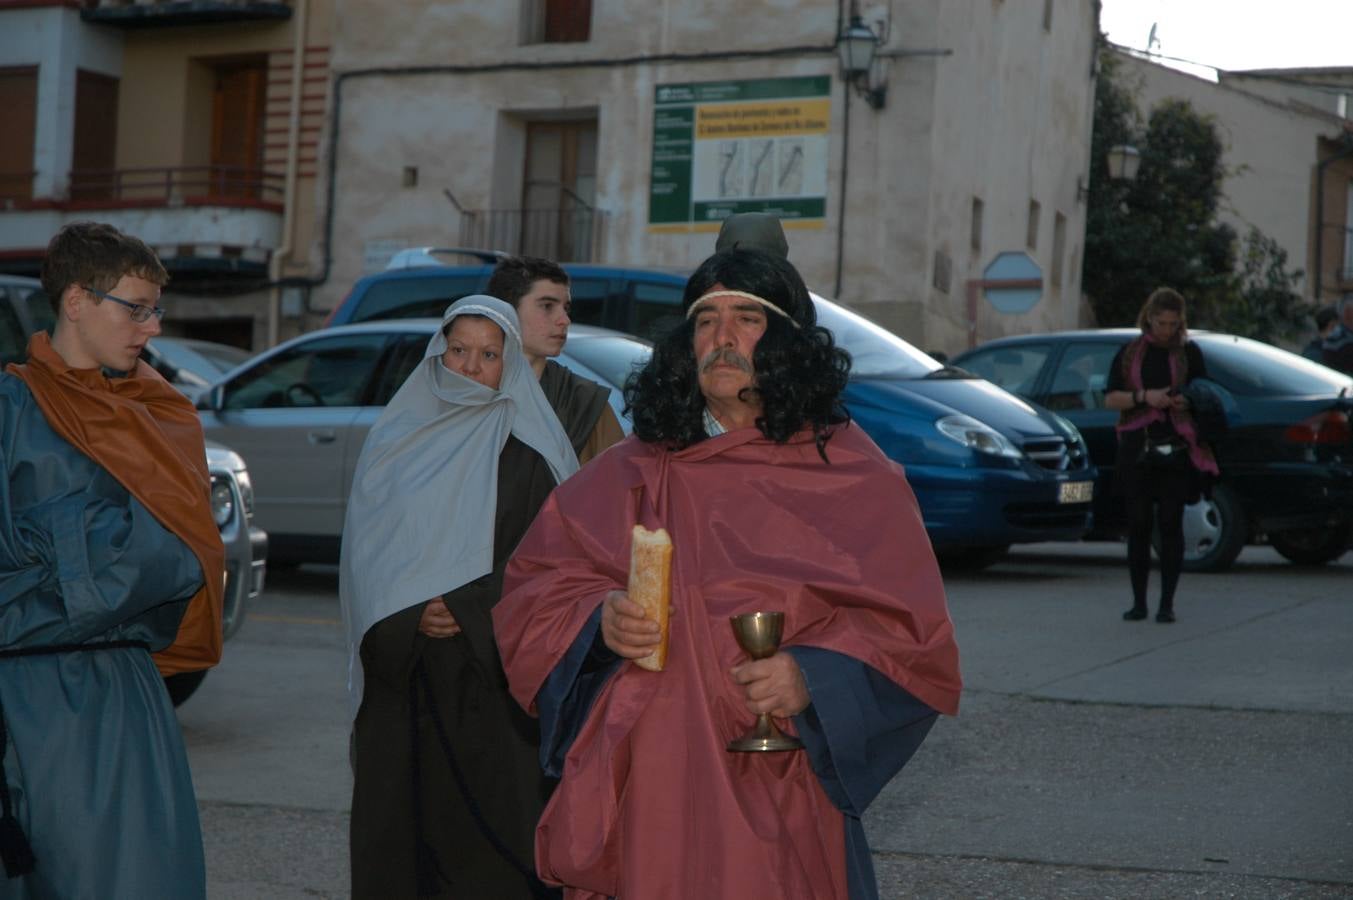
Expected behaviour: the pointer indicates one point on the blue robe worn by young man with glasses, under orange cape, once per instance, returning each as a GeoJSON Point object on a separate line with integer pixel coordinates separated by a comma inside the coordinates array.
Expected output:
{"type": "Point", "coordinates": [95, 760]}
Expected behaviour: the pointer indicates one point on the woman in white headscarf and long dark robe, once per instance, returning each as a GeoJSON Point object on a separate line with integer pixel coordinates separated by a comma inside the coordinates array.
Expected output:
{"type": "Point", "coordinates": [447, 778]}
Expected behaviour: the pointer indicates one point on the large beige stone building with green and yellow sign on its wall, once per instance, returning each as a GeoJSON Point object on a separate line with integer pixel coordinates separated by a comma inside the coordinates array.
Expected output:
{"type": "Point", "coordinates": [623, 132]}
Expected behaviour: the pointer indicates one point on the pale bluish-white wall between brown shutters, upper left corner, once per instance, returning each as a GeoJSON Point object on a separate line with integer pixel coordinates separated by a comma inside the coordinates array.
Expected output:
{"type": "Point", "coordinates": [56, 41]}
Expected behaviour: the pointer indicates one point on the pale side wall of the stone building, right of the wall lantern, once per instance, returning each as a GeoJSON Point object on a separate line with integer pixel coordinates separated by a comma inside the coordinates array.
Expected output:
{"type": "Point", "coordinates": [1011, 125]}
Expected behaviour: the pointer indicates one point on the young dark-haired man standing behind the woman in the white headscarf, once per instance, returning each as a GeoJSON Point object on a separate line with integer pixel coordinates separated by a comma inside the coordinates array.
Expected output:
{"type": "Point", "coordinates": [538, 289]}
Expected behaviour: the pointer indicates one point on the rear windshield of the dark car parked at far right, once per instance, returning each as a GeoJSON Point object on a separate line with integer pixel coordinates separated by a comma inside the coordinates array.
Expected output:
{"type": "Point", "coordinates": [1255, 369]}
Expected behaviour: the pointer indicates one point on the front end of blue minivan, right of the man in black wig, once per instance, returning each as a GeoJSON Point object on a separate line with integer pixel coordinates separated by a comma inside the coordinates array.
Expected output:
{"type": "Point", "coordinates": [990, 469]}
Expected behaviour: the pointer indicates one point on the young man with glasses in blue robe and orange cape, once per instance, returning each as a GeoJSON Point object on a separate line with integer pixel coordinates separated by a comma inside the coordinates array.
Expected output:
{"type": "Point", "coordinates": [112, 575]}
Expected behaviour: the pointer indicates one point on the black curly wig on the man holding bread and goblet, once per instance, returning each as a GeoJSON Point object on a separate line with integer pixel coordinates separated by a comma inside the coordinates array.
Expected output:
{"type": "Point", "coordinates": [800, 372]}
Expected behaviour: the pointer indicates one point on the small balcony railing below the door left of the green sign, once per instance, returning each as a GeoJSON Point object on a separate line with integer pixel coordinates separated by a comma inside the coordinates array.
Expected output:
{"type": "Point", "coordinates": [573, 235]}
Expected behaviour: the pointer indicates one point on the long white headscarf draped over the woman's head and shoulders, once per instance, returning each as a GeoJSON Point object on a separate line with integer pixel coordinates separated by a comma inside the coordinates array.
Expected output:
{"type": "Point", "coordinates": [426, 493]}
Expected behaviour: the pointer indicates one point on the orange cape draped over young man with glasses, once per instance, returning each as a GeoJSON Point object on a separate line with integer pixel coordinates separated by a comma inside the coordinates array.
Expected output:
{"type": "Point", "coordinates": [148, 436]}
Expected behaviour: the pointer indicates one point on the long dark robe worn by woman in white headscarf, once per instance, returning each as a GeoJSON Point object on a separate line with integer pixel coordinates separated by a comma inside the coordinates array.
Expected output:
{"type": "Point", "coordinates": [401, 798]}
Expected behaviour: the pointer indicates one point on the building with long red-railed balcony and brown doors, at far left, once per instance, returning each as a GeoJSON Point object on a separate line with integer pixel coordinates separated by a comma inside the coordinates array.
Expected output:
{"type": "Point", "coordinates": [193, 124]}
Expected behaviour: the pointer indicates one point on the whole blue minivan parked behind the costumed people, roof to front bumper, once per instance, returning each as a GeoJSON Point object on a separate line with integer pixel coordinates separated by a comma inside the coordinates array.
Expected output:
{"type": "Point", "coordinates": [990, 469]}
